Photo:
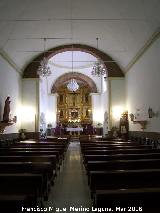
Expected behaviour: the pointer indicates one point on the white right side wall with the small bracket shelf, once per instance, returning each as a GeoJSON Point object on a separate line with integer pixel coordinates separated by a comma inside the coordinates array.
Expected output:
{"type": "Point", "coordinates": [142, 86]}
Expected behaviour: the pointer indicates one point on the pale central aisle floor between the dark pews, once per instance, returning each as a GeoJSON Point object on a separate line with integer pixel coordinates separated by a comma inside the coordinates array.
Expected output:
{"type": "Point", "coordinates": [71, 188]}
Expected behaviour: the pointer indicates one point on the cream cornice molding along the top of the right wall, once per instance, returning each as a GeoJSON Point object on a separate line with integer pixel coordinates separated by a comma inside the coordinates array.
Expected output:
{"type": "Point", "coordinates": [141, 52]}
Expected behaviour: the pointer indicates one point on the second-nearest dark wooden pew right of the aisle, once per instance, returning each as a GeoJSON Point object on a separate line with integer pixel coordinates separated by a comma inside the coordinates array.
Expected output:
{"type": "Point", "coordinates": [119, 179]}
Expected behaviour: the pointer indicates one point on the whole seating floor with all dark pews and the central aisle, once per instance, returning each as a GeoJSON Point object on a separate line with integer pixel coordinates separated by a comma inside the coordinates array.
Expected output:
{"type": "Point", "coordinates": [63, 175]}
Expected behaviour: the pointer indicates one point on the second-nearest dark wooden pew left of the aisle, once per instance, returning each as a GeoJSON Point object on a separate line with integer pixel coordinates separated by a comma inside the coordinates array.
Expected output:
{"type": "Point", "coordinates": [25, 184]}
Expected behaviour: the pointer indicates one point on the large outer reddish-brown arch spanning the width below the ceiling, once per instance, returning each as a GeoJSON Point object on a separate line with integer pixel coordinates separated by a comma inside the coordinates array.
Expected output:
{"type": "Point", "coordinates": [112, 67]}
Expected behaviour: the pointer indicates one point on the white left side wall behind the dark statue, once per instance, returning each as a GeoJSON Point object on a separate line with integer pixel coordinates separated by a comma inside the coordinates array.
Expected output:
{"type": "Point", "coordinates": [10, 84]}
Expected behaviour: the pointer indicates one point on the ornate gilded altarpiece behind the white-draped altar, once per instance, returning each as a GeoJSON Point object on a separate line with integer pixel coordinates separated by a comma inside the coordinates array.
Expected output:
{"type": "Point", "coordinates": [74, 106]}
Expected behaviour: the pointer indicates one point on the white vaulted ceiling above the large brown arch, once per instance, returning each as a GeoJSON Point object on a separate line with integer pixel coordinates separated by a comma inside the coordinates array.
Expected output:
{"type": "Point", "coordinates": [122, 26]}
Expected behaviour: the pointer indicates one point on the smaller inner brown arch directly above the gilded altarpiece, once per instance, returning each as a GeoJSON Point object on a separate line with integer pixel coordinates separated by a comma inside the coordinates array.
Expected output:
{"type": "Point", "coordinates": [76, 75]}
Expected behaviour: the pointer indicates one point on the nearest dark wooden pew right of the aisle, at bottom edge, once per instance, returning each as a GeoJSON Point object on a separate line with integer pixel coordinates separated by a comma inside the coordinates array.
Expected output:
{"type": "Point", "coordinates": [129, 200]}
